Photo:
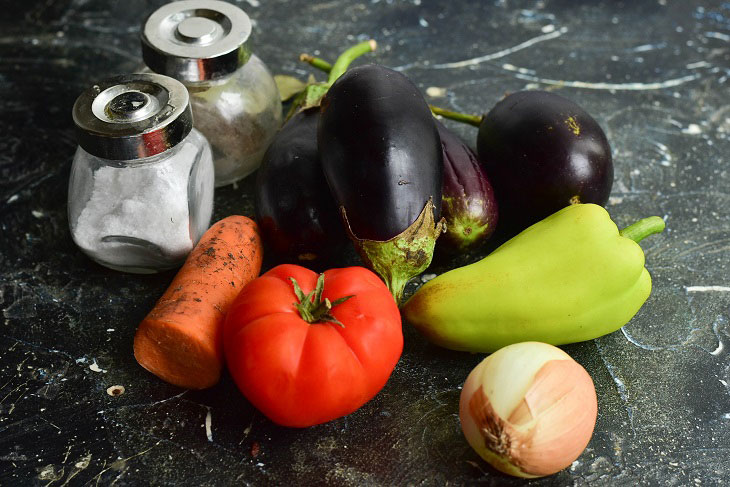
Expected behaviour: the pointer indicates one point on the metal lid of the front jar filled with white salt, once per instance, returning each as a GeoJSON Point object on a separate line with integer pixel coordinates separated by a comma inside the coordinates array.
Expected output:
{"type": "Point", "coordinates": [132, 116]}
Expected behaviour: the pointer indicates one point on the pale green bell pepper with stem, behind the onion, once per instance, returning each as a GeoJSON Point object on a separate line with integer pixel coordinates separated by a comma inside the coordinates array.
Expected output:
{"type": "Point", "coordinates": [568, 278]}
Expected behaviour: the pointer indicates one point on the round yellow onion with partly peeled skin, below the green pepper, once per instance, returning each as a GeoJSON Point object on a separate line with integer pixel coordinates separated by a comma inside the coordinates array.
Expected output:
{"type": "Point", "coordinates": [528, 409]}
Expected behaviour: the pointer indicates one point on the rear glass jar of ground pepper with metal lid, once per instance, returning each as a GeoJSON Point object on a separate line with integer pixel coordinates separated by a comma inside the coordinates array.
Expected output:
{"type": "Point", "coordinates": [235, 101]}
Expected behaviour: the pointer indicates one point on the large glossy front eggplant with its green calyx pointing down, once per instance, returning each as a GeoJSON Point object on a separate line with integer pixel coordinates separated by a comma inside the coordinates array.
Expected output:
{"type": "Point", "coordinates": [381, 155]}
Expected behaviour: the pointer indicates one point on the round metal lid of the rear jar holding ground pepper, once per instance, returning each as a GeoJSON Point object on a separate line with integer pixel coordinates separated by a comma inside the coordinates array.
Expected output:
{"type": "Point", "coordinates": [196, 40]}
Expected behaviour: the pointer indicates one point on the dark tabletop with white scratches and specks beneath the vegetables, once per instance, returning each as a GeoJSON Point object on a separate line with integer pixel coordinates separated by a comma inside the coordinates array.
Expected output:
{"type": "Point", "coordinates": [653, 74]}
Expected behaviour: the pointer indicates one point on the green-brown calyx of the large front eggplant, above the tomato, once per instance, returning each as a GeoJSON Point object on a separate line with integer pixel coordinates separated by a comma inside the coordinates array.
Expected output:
{"type": "Point", "coordinates": [404, 256]}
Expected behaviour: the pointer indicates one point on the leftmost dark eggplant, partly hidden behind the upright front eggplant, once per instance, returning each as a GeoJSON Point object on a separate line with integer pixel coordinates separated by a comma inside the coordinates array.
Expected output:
{"type": "Point", "coordinates": [295, 210]}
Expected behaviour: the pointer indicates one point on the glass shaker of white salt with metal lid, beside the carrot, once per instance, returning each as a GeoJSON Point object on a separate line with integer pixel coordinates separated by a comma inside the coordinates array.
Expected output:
{"type": "Point", "coordinates": [142, 180]}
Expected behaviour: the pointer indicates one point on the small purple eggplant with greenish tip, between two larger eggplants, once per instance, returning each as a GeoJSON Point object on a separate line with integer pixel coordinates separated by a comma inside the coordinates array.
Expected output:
{"type": "Point", "coordinates": [467, 202]}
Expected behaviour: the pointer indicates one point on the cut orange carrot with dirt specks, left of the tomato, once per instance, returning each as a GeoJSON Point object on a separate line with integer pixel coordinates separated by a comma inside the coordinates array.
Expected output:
{"type": "Point", "coordinates": [180, 340]}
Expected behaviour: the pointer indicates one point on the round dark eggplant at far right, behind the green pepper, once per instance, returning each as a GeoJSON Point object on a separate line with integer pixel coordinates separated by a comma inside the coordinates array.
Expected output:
{"type": "Point", "coordinates": [543, 152]}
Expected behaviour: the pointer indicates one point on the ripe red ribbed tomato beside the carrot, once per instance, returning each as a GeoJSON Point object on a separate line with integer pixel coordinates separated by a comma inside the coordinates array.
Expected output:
{"type": "Point", "coordinates": [301, 374]}
